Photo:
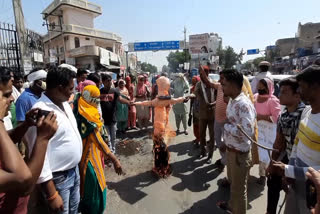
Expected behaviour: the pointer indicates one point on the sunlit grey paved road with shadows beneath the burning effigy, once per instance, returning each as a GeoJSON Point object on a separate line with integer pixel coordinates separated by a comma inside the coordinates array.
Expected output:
{"type": "Point", "coordinates": [192, 187]}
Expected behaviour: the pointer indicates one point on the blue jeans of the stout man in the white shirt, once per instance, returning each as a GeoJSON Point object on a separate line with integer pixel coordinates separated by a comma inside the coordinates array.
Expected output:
{"type": "Point", "coordinates": [68, 185]}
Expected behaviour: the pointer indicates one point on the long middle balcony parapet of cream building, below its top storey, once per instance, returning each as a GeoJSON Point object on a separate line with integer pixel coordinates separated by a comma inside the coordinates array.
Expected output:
{"type": "Point", "coordinates": [83, 31]}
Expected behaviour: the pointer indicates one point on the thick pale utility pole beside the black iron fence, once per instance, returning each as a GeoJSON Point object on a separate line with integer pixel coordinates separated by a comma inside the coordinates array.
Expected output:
{"type": "Point", "coordinates": [21, 31]}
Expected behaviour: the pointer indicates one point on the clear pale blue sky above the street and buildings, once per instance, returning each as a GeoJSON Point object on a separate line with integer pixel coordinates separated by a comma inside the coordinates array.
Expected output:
{"type": "Point", "coordinates": [241, 23]}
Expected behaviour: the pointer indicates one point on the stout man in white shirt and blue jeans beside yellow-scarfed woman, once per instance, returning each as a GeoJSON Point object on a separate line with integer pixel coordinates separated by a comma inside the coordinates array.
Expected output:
{"type": "Point", "coordinates": [59, 178]}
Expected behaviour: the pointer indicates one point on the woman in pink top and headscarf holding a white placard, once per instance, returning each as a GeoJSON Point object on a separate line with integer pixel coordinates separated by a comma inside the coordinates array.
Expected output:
{"type": "Point", "coordinates": [268, 111]}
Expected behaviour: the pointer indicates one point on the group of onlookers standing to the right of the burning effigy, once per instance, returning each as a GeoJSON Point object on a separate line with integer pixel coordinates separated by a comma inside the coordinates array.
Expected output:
{"type": "Point", "coordinates": [253, 125]}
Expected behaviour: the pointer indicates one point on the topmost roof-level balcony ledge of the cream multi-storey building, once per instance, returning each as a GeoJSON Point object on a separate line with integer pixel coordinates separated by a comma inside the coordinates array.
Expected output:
{"type": "Point", "coordinates": [81, 4]}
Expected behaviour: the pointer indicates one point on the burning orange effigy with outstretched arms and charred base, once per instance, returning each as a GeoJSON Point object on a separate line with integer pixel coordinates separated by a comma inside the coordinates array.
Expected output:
{"type": "Point", "coordinates": [162, 131]}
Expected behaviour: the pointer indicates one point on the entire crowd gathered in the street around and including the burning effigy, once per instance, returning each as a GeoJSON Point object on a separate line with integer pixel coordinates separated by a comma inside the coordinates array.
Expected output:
{"type": "Point", "coordinates": [58, 128]}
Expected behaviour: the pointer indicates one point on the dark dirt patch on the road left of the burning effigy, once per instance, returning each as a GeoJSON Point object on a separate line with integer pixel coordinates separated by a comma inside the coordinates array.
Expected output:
{"type": "Point", "coordinates": [128, 147]}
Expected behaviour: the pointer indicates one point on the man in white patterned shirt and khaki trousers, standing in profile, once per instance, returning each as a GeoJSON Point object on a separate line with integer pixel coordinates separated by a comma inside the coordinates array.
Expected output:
{"type": "Point", "coordinates": [240, 111]}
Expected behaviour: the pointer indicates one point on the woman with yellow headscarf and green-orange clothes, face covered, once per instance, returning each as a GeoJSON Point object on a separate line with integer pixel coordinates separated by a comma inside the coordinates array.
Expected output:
{"type": "Point", "coordinates": [93, 188]}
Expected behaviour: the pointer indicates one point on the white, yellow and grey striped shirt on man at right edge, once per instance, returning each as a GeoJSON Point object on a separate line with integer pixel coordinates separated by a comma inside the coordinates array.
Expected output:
{"type": "Point", "coordinates": [306, 148]}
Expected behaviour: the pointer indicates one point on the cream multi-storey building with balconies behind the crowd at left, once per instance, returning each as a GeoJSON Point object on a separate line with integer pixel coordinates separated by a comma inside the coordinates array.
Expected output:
{"type": "Point", "coordinates": [73, 39]}
